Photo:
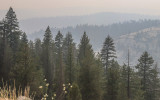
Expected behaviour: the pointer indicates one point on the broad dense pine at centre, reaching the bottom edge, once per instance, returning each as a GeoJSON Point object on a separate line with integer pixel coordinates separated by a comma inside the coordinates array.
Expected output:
{"type": "Point", "coordinates": [89, 80]}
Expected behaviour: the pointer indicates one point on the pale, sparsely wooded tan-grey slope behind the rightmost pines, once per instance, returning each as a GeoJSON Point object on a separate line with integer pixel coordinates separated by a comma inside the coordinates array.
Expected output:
{"type": "Point", "coordinates": [138, 42]}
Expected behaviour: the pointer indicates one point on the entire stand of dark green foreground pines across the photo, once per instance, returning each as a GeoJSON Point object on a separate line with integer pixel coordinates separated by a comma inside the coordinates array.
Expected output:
{"type": "Point", "coordinates": [55, 68]}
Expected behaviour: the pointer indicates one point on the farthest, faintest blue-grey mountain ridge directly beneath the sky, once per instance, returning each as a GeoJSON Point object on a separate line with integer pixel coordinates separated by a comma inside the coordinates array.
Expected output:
{"type": "Point", "coordinates": [34, 24]}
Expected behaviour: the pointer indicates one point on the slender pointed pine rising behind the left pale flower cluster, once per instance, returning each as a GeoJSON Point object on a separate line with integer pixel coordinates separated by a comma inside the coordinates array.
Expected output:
{"type": "Point", "coordinates": [47, 59]}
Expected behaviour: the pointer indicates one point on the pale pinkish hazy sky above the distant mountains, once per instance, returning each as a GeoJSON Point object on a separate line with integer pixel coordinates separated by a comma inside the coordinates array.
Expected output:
{"type": "Point", "coordinates": [47, 8]}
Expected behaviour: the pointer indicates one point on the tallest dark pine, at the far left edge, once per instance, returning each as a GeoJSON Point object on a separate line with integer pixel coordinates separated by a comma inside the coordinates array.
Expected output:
{"type": "Point", "coordinates": [10, 41]}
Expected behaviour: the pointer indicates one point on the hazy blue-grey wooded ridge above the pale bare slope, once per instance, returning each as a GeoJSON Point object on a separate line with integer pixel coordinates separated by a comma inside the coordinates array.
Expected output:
{"type": "Point", "coordinates": [115, 30]}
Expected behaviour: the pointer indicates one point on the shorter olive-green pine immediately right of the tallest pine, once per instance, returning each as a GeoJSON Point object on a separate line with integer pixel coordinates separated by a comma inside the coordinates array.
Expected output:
{"type": "Point", "coordinates": [22, 64]}
